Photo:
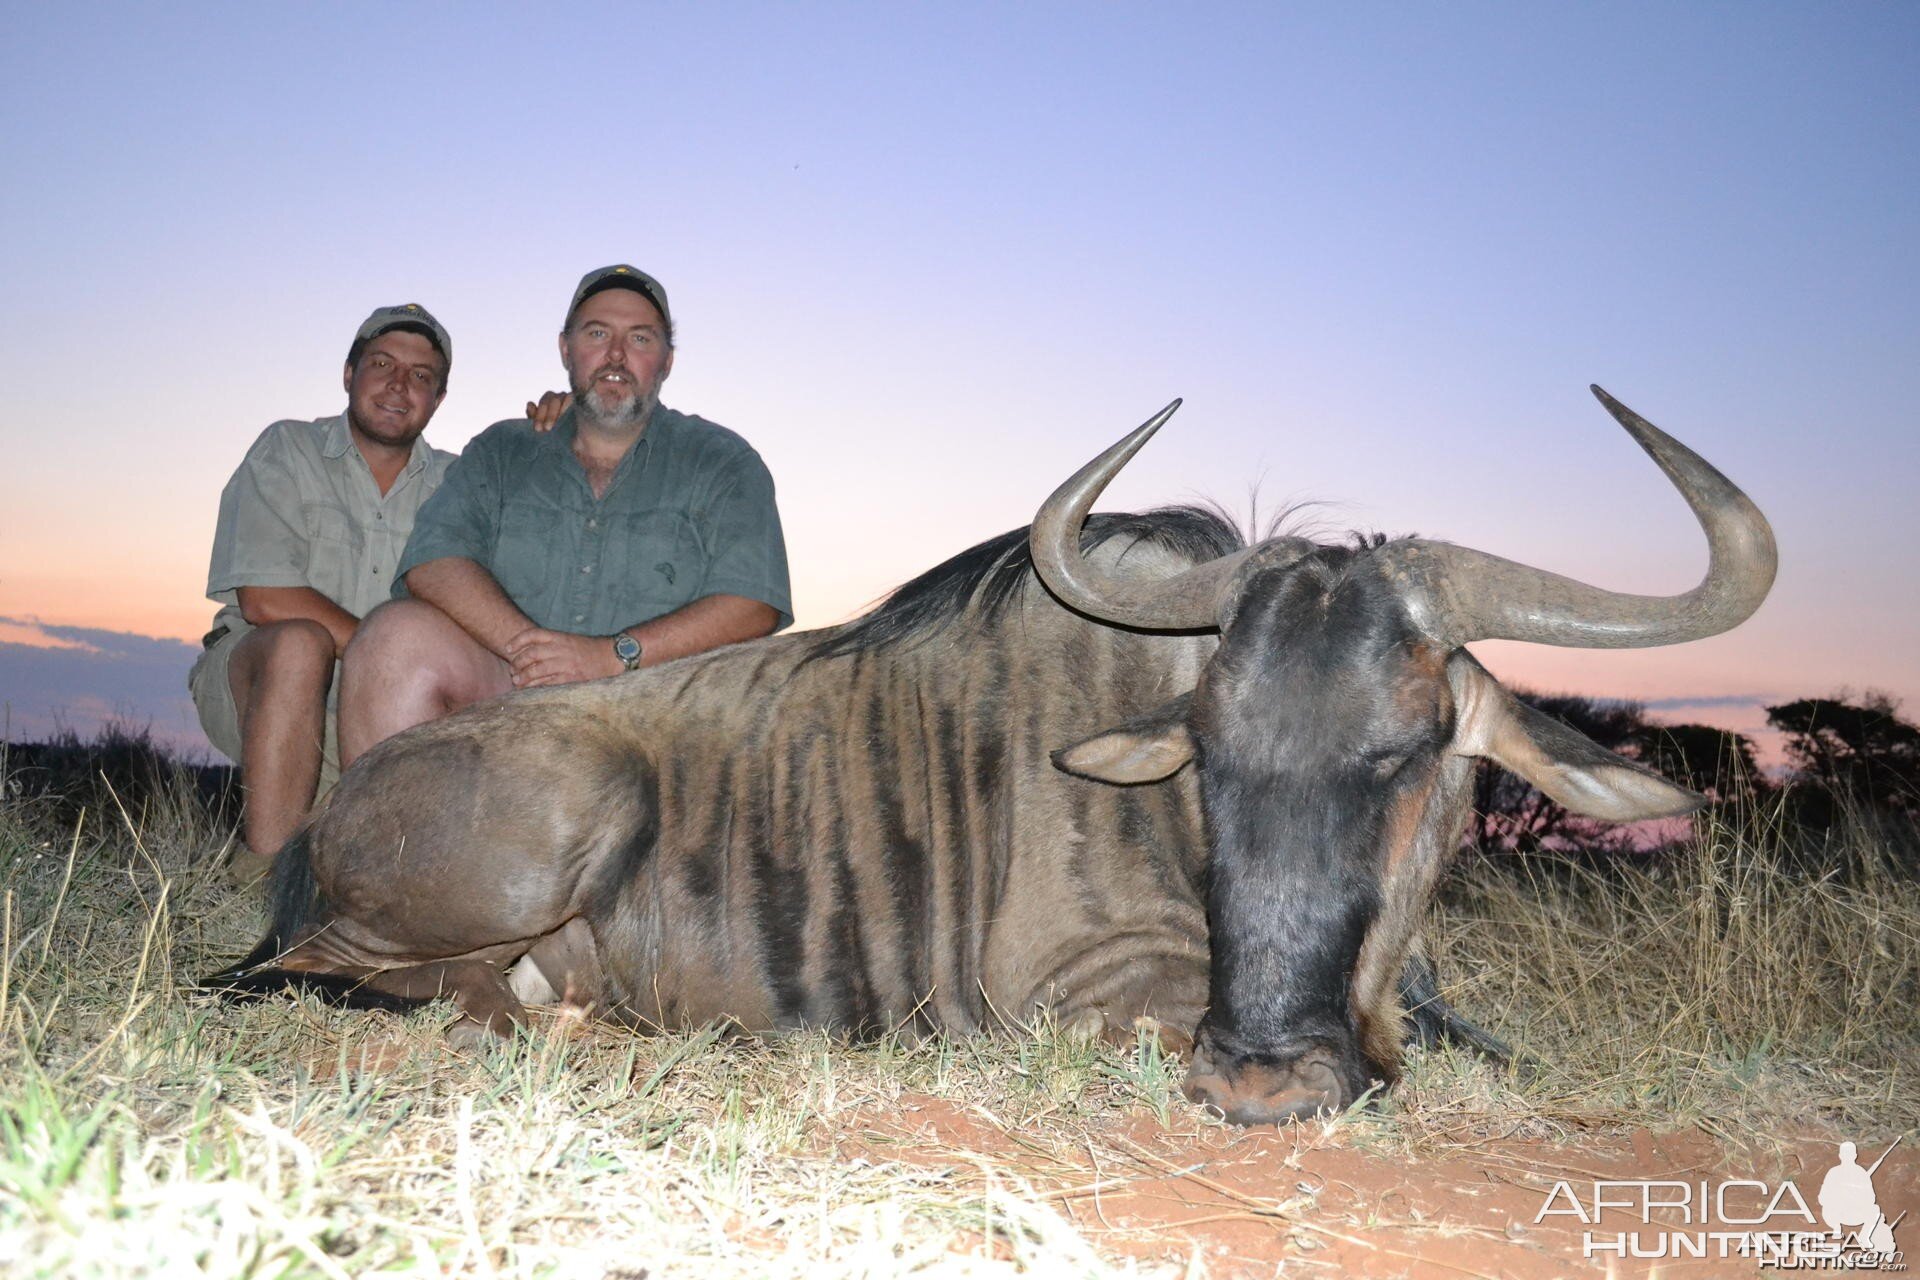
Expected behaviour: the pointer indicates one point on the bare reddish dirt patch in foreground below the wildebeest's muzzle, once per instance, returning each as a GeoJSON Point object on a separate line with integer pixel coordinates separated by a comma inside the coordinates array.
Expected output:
{"type": "Point", "coordinates": [1318, 1200]}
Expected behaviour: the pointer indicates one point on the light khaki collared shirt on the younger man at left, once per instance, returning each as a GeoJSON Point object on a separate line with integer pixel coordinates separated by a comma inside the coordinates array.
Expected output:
{"type": "Point", "coordinates": [304, 511]}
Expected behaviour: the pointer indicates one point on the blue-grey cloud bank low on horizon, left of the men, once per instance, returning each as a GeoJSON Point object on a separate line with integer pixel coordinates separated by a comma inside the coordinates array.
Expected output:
{"type": "Point", "coordinates": [59, 678]}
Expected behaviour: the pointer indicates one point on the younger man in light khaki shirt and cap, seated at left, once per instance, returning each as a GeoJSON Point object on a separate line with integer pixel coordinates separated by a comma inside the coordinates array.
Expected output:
{"type": "Point", "coordinates": [310, 534]}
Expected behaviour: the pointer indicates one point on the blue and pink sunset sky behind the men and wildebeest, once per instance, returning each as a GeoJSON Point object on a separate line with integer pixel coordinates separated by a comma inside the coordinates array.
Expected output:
{"type": "Point", "coordinates": [930, 260]}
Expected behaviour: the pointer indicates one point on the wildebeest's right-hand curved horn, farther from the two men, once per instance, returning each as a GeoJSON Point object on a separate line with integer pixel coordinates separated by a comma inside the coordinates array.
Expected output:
{"type": "Point", "coordinates": [1460, 596]}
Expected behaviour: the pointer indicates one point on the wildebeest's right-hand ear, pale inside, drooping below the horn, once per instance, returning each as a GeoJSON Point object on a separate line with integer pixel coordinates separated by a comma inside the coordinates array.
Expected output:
{"type": "Point", "coordinates": [1566, 765]}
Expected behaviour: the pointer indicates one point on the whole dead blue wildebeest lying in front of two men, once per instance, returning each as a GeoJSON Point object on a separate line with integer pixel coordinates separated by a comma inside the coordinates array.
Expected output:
{"type": "Point", "coordinates": [894, 822]}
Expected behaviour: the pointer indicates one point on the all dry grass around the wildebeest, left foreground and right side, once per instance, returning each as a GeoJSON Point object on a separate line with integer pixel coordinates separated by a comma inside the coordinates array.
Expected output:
{"type": "Point", "coordinates": [149, 1133]}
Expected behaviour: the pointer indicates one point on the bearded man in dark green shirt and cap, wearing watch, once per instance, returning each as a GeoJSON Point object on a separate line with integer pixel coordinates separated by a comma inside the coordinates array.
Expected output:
{"type": "Point", "coordinates": [627, 536]}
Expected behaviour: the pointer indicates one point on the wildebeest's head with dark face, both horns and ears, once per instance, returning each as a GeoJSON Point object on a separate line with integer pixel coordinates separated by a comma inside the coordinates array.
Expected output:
{"type": "Point", "coordinates": [1335, 734]}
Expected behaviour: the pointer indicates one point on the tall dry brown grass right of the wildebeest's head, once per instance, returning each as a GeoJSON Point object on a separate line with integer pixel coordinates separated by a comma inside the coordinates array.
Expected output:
{"type": "Point", "coordinates": [1719, 984]}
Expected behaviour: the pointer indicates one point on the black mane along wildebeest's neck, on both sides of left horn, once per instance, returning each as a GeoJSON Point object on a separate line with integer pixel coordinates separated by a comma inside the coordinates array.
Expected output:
{"type": "Point", "coordinates": [990, 575]}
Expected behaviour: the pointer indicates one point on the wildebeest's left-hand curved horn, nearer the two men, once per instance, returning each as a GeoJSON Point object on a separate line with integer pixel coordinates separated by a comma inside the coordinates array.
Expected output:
{"type": "Point", "coordinates": [1182, 604]}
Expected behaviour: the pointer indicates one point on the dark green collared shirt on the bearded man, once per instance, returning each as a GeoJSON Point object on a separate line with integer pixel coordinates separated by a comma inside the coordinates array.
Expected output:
{"type": "Point", "coordinates": [690, 513]}
